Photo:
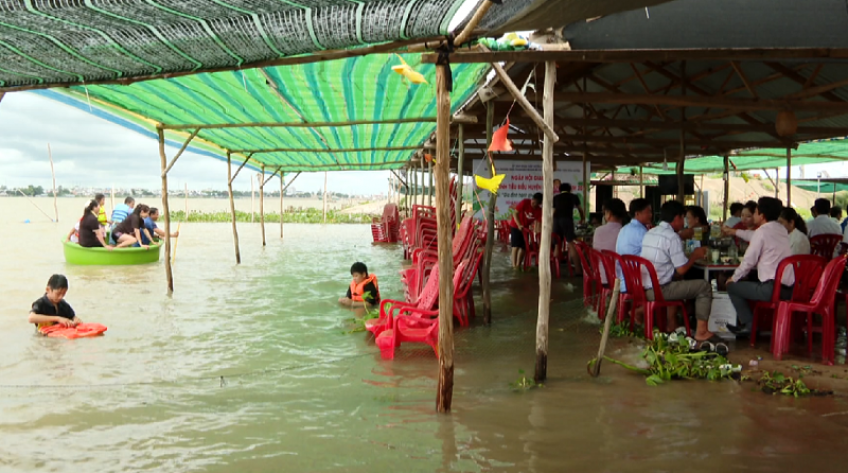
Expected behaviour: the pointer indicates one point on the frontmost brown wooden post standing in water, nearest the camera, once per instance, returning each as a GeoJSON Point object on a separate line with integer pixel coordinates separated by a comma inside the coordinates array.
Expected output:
{"type": "Point", "coordinates": [445, 236]}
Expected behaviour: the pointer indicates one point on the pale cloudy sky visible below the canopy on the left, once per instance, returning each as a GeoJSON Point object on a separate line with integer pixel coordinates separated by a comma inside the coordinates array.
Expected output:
{"type": "Point", "coordinates": [89, 151]}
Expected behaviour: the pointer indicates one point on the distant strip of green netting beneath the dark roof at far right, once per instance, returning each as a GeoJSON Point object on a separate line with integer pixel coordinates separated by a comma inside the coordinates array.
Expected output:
{"type": "Point", "coordinates": [816, 152]}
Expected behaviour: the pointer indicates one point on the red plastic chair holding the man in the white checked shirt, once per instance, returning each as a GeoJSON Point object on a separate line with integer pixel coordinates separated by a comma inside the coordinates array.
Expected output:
{"type": "Point", "coordinates": [633, 268]}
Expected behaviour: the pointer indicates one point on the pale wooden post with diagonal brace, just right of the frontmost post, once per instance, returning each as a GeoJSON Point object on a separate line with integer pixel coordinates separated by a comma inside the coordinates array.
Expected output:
{"type": "Point", "coordinates": [544, 258]}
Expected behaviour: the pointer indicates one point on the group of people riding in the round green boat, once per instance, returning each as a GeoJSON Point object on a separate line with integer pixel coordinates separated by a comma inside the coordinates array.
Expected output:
{"type": "Point", "coordinates": [131, 225]}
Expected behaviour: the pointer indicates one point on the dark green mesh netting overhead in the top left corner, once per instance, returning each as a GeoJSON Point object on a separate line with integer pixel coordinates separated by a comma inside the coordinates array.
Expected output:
{"type": "Point", "coordinates": [73, 41]}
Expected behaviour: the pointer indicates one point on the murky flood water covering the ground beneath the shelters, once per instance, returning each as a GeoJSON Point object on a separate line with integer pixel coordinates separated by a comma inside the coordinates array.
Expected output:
{"type": "Point", "coordinates": [247, 369]}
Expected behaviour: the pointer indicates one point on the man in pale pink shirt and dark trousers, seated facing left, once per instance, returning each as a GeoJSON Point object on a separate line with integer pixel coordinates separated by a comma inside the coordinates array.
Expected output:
{"type": "Point", "coordinates": [769, 246]}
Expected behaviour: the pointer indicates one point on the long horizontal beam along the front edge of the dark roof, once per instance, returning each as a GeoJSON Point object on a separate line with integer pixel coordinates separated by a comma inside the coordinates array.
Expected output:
{"type": "Point", "coordinates": [640, 55]}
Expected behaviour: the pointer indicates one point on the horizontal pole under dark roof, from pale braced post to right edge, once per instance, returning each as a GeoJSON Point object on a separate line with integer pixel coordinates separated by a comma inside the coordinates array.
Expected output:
{"type": "Point", "coordinates": [700, 101]}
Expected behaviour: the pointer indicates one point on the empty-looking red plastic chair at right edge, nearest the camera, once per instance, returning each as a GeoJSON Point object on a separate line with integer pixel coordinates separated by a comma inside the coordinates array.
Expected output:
{"type": "Point", "coordinates": [822, 303]}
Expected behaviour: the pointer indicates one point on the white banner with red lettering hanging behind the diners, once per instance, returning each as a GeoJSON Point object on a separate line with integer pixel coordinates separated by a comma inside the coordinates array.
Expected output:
{"type": "Point", "coordinates": [523, 179]}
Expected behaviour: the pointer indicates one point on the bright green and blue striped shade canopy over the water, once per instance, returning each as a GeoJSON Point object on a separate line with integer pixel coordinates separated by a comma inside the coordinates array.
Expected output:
{"type": "Point", "coordinates": [333, 98]}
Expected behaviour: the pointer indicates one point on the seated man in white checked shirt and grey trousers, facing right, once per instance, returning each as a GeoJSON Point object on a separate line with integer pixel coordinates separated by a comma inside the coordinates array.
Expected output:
{"type": "Point", "coordinates": [663, 247]}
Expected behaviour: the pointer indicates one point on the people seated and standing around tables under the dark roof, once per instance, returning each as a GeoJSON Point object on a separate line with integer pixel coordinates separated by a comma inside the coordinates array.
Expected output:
{"type": "Point", "coordinates": [770, 231]}
